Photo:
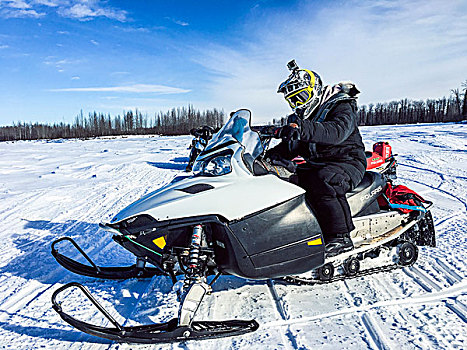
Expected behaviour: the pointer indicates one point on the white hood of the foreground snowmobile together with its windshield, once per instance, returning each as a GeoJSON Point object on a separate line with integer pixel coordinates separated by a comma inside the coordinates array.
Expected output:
{"type": "Point", "coordinates": [231, 192]}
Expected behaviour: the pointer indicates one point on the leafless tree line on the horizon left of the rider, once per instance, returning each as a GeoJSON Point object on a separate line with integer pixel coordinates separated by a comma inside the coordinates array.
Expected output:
{"type": "Point", "coordinates": [177, 121]}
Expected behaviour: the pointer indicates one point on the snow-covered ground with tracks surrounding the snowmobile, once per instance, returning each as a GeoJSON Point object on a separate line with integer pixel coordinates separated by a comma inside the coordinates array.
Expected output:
{"type": "Point", "coordinates": [52, 189]}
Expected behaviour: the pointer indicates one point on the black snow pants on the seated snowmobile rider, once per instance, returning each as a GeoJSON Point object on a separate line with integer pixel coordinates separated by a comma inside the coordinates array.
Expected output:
{"type": "Point", "coordinates": [325, 188]}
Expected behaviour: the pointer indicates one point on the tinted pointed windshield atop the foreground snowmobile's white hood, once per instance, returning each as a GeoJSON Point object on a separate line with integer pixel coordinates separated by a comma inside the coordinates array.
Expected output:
{"type": "Point", "coordinates": [238, 128]}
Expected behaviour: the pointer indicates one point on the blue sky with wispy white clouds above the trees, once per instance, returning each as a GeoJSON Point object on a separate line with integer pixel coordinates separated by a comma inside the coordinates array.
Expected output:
{"type": "Point", "coordinates": [60, 56]}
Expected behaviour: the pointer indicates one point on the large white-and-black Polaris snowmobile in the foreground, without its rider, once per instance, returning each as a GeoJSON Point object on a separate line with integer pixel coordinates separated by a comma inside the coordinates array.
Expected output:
{"type": "Point", "coordinates": [234, 215]}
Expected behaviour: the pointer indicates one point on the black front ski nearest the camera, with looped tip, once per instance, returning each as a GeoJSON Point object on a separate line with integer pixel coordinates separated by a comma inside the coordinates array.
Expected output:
{"type": "Point", "coordinates": [153, 333]}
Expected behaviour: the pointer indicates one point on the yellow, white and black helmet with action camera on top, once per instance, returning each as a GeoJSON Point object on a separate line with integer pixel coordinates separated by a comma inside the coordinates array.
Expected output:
{"type": "Point", "coordinates": [302, 89]}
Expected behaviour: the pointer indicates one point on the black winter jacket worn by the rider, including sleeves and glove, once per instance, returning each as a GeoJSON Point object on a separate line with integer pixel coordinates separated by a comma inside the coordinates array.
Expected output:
{"type": "Point", "coordinates": [335, 139]}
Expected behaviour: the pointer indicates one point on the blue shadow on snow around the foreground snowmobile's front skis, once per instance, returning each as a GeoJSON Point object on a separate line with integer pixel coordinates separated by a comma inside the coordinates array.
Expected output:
{"type": "Point", "coordinates": [37, 263]}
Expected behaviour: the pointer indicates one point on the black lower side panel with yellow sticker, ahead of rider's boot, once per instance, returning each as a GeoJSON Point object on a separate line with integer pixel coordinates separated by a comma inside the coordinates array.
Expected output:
{"type": "Point", "coordinates": [260, 247]}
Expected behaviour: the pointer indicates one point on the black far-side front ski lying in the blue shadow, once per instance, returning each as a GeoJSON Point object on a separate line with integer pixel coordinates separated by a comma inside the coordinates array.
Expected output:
{"type": "Point", "coordinates": [92, 270]}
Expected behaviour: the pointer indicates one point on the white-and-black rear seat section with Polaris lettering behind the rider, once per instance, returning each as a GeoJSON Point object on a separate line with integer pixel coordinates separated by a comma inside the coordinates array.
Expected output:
{"type": "Point", "coordinates": [362, 199]}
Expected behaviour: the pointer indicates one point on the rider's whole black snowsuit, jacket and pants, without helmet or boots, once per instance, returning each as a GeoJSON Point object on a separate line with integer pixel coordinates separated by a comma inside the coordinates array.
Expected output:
{"type": "Point", "coordinates": [335, 162]}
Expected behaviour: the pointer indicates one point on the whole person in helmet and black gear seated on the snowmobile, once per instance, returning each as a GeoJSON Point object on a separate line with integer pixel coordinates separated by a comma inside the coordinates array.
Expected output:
{"type": "Point", "coordinates": [323, 130]}
